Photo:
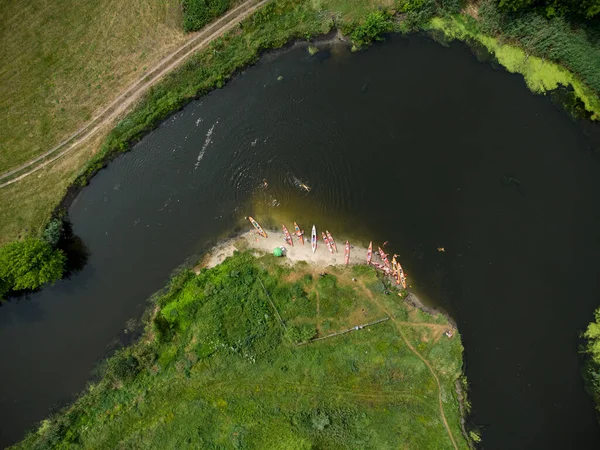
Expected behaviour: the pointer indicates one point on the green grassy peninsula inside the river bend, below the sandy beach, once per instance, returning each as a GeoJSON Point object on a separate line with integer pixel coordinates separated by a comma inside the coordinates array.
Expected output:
{"type": "Point", "coordinates": [218, 370]}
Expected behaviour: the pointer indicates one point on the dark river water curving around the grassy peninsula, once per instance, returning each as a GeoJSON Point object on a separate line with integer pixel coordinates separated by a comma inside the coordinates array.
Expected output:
{"type": "Point", "coordinates": [409, 142]}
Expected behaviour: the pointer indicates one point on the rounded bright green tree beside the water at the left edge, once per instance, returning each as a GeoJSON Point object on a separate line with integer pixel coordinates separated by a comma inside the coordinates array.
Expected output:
{"type": "Point", "coordinates": [30, 263]}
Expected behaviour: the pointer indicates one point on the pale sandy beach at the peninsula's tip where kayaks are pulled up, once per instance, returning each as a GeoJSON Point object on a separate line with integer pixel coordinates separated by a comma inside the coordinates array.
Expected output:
{"type": "Point", "coordinates": [298, 252]}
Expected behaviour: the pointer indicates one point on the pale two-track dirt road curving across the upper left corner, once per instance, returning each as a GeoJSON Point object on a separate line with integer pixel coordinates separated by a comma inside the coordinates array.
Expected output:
{"type": "Point", "coordinates": [127, 97]}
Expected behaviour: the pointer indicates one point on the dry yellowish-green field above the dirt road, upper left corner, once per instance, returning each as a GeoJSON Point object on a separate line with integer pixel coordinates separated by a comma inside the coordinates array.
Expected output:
{"type": "Point", "coordinates": [61, 61]}
